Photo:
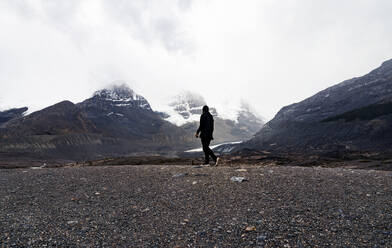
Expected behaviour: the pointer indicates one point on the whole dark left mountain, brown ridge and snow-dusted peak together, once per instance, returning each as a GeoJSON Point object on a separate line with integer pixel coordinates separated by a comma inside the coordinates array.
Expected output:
{"type": "Point", "coordinates": [113, 122]}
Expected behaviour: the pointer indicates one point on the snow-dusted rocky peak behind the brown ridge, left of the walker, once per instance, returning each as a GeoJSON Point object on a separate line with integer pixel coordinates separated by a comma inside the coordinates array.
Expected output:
{"type": "Point", "coordinates": [120, 112]}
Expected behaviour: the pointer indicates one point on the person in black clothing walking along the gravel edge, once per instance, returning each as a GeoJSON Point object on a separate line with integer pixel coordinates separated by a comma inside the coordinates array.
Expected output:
{"type": "Point", "coordinates": [206, 129]}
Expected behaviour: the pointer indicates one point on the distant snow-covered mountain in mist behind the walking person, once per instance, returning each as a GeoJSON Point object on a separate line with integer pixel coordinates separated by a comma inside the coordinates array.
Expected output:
{"type": "Point", "coordinates": [185, 110]}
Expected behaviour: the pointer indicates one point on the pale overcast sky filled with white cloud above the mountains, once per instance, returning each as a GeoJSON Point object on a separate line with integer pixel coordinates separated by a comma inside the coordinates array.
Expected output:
{"type": "Point", "coordinates": [269, 53]}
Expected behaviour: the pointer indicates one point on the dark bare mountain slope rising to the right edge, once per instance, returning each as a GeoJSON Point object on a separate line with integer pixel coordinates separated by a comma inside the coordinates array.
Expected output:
{"type": "Point", "coordinates": [355, 115]}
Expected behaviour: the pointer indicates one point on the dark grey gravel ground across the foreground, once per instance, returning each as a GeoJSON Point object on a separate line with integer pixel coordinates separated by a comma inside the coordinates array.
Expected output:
{"type": "Point", "coordinates": [182, 206]}
